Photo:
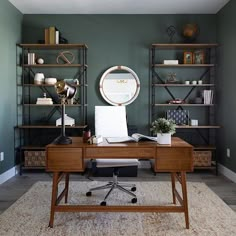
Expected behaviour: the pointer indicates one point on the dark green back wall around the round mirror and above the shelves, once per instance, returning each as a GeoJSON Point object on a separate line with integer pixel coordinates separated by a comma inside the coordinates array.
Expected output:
{"type": "Point", "coordinates": [118, 40]}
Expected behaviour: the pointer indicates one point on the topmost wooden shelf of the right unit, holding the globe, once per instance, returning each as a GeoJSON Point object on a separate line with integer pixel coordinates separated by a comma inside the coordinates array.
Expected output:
{"type": "Point", "coordinates": [184, 45]}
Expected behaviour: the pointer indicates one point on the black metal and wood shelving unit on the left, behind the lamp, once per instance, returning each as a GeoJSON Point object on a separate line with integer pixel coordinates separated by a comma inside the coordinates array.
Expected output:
{"type": "Point", "coordinates": [36, 124]}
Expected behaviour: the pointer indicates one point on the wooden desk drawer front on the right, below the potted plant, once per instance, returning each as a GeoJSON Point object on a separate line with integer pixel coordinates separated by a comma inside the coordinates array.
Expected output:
{"type": "Point", "coordinates": [174, 159]}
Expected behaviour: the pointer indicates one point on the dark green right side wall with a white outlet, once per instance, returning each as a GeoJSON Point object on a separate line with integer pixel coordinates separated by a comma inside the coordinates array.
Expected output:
{"type": "Point", "coordinates": [226, 35]}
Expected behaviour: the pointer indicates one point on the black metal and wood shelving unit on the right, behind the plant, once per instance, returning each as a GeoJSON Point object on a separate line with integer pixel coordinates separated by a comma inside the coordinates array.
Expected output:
{"type": "Point", "coordinates": [206, 130]}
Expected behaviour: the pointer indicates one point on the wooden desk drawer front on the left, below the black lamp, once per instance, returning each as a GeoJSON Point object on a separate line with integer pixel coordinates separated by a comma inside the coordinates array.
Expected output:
{"type": "Point", "coordinates": [64, 159]}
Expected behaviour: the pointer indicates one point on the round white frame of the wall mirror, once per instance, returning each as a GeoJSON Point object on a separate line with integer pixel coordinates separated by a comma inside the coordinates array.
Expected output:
{"type": "Point", "coordinates": [104, 95]}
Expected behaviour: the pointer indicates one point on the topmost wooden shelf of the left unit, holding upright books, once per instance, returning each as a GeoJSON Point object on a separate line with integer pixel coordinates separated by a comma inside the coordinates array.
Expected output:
{"type": "Point", "coordinates": [52, 46]}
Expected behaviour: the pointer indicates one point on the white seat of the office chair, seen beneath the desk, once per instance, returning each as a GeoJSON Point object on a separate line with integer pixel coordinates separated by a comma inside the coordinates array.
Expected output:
{"type": "Point", "coordinates": [116, 162]}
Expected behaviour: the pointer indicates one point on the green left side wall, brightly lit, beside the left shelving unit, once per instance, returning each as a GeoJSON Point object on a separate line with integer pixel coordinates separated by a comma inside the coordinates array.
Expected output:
{"type": "Point", "coordinates": [10, 34]}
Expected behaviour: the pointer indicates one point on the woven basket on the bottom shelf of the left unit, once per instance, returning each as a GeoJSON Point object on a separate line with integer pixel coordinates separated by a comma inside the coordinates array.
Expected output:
{"type": "Point", "coordinates": [35, 158]}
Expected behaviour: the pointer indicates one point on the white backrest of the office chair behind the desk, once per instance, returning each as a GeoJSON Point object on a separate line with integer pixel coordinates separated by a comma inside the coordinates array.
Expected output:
{"type": "Point", "coordinates": [110, 121]}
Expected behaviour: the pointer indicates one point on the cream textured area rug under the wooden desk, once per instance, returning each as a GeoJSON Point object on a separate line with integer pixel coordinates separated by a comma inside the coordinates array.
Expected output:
{"type": "Point", "coordinates": [208, 214]}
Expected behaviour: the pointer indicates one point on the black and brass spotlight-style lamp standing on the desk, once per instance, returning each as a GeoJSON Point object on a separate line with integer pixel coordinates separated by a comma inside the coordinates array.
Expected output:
{"type": "Point", "coordinates": [65, 91]}
